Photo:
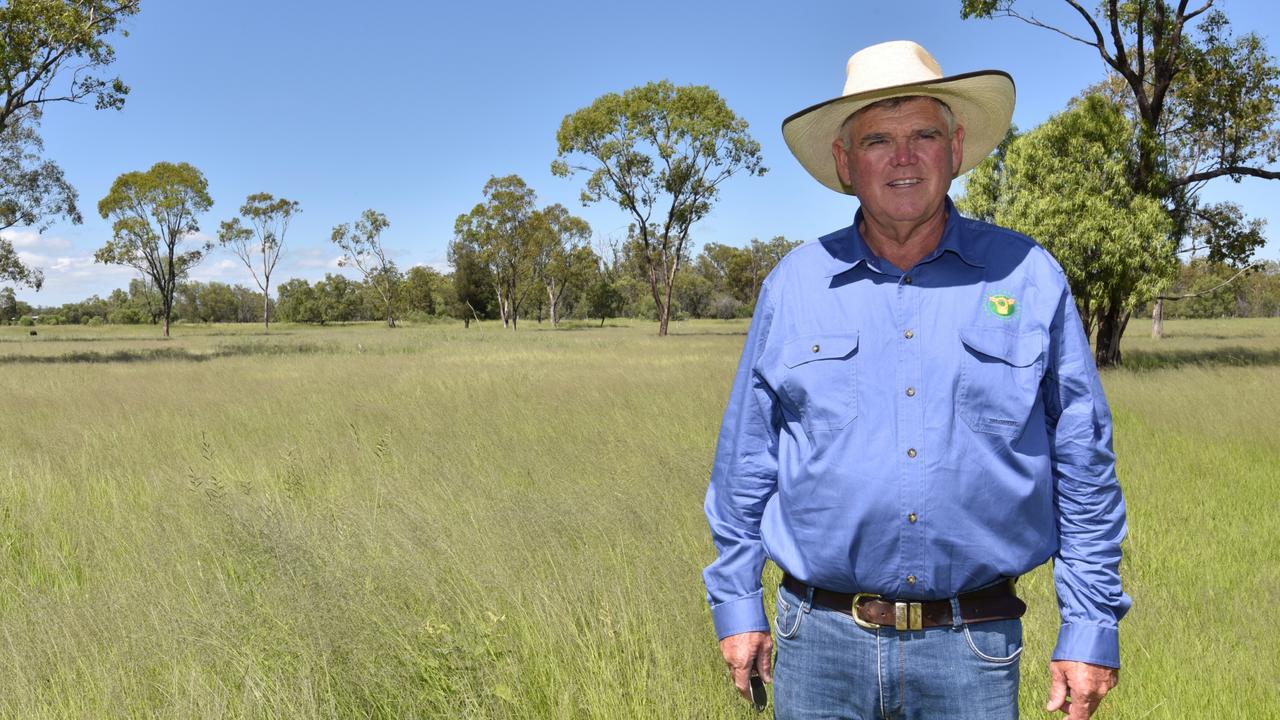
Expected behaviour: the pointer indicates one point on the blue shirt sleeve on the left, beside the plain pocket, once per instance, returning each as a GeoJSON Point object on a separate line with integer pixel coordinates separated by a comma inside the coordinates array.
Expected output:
{"type": "Point", "coordinates": [743, 480]}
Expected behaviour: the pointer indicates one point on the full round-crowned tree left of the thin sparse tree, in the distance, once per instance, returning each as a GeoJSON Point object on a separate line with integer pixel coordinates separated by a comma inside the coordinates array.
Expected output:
{"type": "Point", "coordinates": [154, 224]}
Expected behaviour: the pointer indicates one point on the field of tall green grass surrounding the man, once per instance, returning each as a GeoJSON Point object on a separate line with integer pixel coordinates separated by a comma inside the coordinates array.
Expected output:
{"type": "Point", "coordinates": [442, 523]}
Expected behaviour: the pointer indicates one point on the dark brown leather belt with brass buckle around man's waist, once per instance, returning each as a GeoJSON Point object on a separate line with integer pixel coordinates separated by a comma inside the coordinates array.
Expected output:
{"type": "Point", "coordinates": [993, 603]}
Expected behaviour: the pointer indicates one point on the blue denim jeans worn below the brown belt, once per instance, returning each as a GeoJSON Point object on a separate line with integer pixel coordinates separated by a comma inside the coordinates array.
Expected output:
{"type": "Point", "coordinates": [829, 667]}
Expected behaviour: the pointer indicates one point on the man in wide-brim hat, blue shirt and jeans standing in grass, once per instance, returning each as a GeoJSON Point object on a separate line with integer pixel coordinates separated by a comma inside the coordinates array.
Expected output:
{"type": "Point", "coordinates": [916, 422]}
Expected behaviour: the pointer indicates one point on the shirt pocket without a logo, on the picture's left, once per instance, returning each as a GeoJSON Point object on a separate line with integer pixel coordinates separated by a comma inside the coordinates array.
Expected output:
{"type": "Point", "coordinates": [821, 380]}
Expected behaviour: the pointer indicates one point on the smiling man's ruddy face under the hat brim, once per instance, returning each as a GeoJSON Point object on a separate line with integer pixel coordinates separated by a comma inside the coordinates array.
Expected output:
{"type": "Point", "coordinates": [900, 161]}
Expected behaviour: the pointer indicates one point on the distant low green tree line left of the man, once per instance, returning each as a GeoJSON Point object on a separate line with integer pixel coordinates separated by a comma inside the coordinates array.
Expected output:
{"type": "Point", "coordinates": [723, 282]}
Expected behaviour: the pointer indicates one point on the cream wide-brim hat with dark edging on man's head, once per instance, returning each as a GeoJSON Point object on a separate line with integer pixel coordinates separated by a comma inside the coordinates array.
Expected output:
{"type": "Point", "coordinates": [982, 103]}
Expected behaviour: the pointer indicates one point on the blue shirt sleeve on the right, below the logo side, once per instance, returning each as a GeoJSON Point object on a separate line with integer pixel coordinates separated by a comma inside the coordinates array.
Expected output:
{"type": "Point", "coordinates": [1089, 503]}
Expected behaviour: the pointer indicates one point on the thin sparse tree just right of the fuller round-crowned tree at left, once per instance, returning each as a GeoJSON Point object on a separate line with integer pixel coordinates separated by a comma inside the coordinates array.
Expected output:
{"type": "Point", "coordinates": [259, 247]}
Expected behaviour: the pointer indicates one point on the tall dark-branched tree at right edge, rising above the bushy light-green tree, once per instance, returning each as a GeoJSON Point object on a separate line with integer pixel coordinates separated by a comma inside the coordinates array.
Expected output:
{"type": "Point", "coordinates": [1205, 106]}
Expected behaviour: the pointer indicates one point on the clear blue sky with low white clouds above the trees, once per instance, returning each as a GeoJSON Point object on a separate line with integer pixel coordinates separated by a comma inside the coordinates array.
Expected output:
{"type": "Point", "coordinates": [410, 107]}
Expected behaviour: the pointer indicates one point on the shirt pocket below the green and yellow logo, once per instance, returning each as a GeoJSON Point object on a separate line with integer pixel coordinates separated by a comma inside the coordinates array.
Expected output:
{"type": "Point", "coordinates": [1000, 376]}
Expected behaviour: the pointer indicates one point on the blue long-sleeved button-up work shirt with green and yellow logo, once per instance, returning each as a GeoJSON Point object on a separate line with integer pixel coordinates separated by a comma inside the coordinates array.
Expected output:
{"type": "Point", "coordinates": [920, 435]}
